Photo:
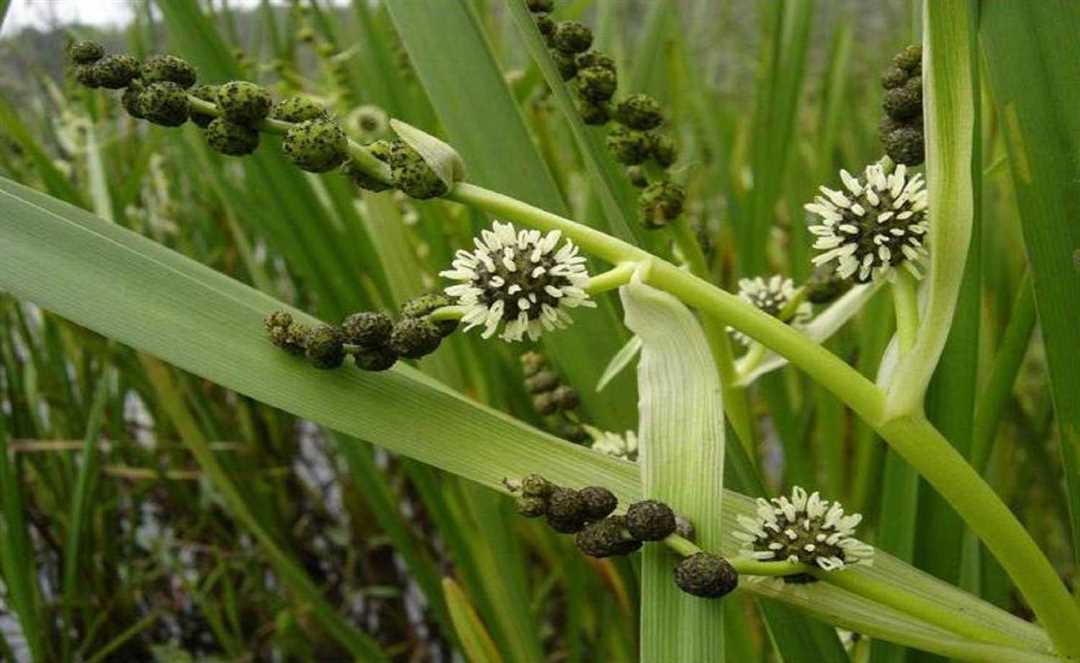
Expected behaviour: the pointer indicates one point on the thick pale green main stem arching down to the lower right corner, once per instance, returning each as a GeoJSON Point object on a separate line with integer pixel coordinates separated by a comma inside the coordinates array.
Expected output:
{"type": "Point", "coordinates": [917, 441]}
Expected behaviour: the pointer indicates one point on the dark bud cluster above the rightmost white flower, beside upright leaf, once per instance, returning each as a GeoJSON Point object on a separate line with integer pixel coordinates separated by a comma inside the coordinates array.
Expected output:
{"type": "Point", "coordinates": [901, 131]}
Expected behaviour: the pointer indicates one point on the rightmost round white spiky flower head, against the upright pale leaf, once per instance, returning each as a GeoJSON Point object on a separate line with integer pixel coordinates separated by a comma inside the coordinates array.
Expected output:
{"type": "Point", "coordinates": [877, 224]}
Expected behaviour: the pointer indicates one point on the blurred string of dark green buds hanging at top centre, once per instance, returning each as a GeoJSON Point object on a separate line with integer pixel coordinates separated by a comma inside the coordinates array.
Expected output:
{"type": "Point", "coordinates": [636, 140]}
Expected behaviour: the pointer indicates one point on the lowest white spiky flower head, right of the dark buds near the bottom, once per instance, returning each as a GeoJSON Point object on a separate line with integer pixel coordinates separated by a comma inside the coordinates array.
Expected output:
{"type": "Point", "coordinates": [804, 529]}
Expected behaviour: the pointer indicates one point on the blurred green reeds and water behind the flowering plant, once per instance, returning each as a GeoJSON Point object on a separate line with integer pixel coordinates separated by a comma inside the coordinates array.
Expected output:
{"type": "Point", "coordinates": [105, 475]}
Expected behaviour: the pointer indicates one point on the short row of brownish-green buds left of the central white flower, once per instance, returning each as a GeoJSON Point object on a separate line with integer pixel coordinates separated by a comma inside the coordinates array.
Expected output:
{"type": "Point", "coordinates": [373, 339]}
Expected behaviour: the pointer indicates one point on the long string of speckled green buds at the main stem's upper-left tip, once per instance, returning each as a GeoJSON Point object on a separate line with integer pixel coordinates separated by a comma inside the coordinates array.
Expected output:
{"type": "Point", "coordinates": [163, 90]}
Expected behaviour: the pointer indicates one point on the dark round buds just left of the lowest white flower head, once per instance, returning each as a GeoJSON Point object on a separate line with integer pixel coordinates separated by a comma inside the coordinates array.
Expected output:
{"type": "Point", "coordinates": [589, 515]}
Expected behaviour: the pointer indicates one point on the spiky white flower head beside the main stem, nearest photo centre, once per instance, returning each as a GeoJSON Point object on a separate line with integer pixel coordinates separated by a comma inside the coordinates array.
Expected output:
{"type": "Point", "coordinates": [520, 278]}
